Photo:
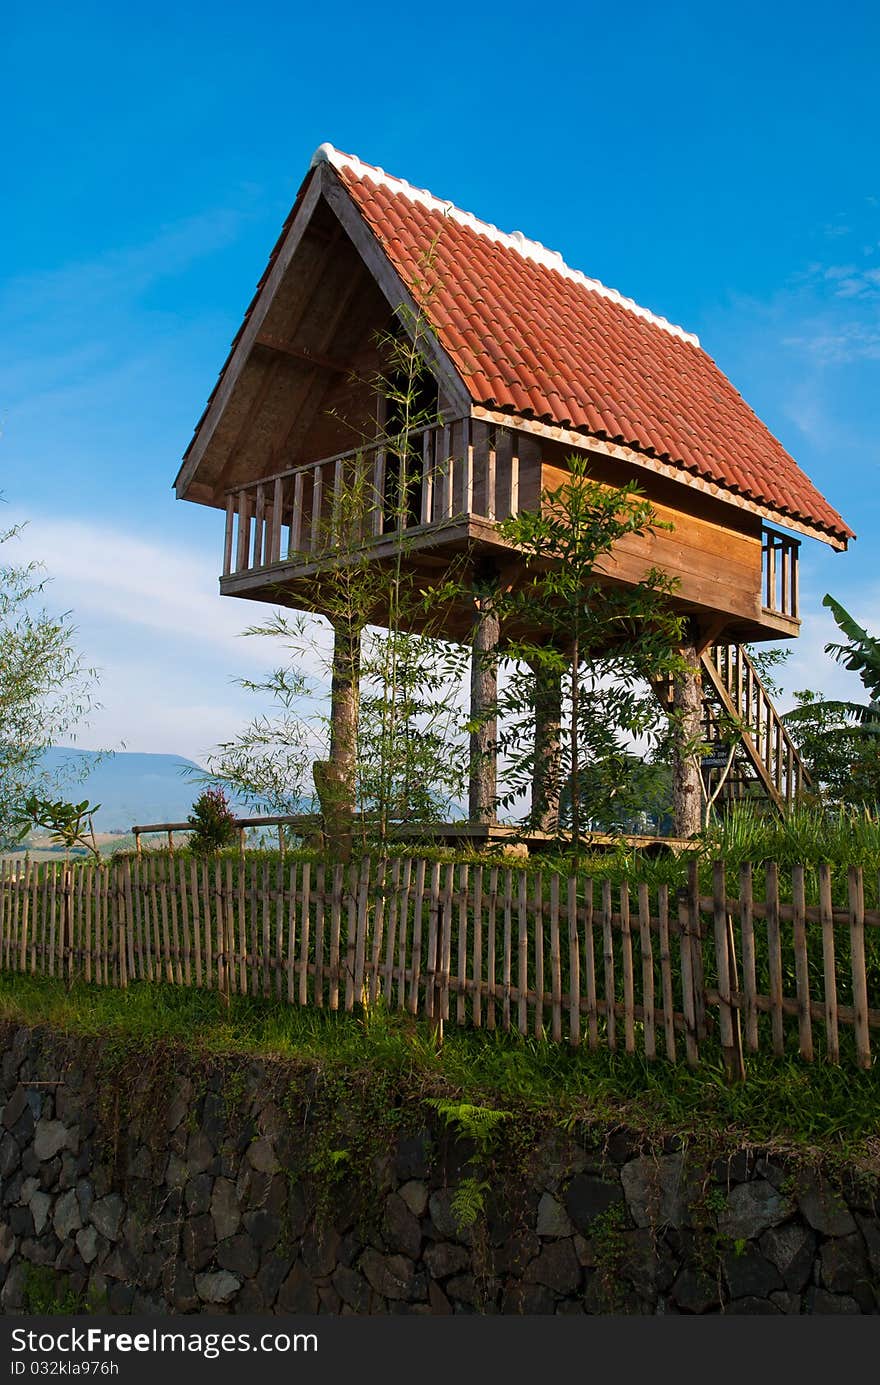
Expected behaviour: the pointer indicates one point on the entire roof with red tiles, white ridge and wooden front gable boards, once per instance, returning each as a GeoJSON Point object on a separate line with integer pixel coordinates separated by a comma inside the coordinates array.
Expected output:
{"type": "Point", "coordinates": [519, 333]}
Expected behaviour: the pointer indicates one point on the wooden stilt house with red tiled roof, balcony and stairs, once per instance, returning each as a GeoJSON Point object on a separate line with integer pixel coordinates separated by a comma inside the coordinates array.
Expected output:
{"type": "Point", "coordinates": [527, 361]}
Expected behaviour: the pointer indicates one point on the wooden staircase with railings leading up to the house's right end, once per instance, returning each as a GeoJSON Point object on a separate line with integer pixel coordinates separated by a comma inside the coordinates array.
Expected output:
{"type": "Point", "coordinates": [767, 764]}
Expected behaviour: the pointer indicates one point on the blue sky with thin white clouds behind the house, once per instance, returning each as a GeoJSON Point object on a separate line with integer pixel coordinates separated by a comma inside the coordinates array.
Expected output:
{"type": "Point", "coordinates": [717, 164]}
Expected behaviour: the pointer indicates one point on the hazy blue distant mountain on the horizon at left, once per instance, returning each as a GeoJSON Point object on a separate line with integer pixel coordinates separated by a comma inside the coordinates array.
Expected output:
{"type": "Point", "coordinates": [130, 787]}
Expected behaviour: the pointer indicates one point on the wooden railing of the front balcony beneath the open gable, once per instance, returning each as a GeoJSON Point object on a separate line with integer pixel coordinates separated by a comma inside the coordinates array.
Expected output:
{"type": "Point", "coordinates": [451, 470]}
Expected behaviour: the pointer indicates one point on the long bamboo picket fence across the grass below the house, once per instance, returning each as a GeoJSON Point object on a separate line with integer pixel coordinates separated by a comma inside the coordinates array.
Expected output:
{"type": "Point", "coordinates": [656, 972]}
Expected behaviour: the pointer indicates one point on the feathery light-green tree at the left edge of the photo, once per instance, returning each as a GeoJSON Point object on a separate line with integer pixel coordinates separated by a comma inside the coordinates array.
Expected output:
{"type": "Point", "coordinates": [46, 689]}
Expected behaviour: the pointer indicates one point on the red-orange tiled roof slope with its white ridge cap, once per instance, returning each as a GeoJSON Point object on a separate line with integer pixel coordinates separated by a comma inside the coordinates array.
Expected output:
{"type": "Point", "coordinates": [533, 337]}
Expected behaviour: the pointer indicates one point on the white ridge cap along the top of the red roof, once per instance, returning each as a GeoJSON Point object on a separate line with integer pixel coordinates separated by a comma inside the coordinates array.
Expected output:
{"type": "Point", "coordinates": [512, 240]}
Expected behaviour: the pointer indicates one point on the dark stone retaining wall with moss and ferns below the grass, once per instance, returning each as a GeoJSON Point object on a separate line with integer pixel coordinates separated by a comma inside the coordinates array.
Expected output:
{"type": "Point", "coordinates": [209, 1189]}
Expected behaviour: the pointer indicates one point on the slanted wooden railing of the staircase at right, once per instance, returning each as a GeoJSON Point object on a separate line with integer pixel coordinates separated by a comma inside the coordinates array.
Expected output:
{"type": "Point", "coordinates": [734, 685]}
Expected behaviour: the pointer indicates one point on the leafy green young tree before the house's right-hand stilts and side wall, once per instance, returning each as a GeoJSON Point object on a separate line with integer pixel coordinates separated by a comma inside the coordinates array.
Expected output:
{"type": "Point", "coordinates": [583, 671]}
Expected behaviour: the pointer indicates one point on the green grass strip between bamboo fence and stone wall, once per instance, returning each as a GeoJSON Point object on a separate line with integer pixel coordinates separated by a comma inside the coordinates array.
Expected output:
{"type": "Point", "coordinates": [820, 1113]}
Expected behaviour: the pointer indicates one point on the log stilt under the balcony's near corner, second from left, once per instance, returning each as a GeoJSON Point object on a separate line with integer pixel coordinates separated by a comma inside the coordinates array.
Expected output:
{"type": "Point", "coordinates": [484, 707]}
